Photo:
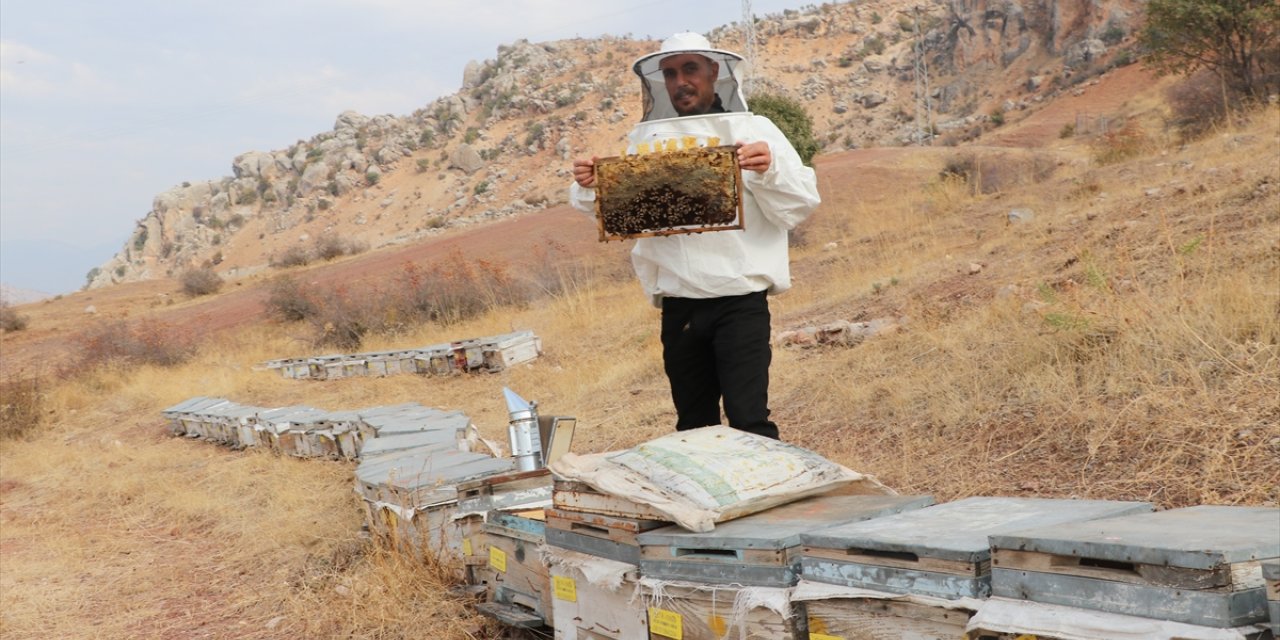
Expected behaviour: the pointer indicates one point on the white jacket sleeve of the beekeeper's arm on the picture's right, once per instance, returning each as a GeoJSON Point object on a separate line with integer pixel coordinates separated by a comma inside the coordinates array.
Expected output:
{"type": "Point", "coordinates": [788, 193]}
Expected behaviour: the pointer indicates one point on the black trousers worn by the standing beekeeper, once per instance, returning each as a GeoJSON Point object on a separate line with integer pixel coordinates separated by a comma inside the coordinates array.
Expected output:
{"type": "Point", "coordinates": [716, 349]}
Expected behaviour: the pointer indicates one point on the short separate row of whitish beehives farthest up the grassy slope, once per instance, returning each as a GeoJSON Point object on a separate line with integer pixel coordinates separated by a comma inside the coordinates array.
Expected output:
{"type": "Point", "coordinates": [476, 355]}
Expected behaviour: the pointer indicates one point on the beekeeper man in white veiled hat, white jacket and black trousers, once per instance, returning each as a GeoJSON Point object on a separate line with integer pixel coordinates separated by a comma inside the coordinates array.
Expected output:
{"type": "Point", "coordinates": [712, 287]}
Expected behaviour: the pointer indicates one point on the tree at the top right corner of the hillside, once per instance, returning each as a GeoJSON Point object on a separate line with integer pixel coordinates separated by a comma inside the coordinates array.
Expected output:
{"type": "Point", "coordinates": [1240, 40]}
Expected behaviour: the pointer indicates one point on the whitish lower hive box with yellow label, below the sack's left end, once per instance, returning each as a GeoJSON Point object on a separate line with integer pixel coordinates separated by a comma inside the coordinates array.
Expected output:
{"type": "Point", "coordinates": [596, 598]}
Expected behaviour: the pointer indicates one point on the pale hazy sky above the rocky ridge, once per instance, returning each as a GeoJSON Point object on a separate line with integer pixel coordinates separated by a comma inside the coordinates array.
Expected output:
{"type": "Point", "coordinates": [104, 106]}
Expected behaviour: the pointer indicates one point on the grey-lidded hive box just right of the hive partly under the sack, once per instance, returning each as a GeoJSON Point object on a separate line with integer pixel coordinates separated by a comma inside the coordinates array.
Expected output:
{"type": "Point", "coordinates": [940, 551]}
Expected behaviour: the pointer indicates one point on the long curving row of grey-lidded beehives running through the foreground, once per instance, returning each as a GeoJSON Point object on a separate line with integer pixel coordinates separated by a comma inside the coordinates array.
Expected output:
{"type": "Point", "coordinates": [598, 565]}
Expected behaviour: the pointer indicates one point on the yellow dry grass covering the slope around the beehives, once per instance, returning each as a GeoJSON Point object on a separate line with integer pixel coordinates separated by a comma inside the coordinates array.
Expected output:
{"type": "Point", "coordinates": [1121, 345]}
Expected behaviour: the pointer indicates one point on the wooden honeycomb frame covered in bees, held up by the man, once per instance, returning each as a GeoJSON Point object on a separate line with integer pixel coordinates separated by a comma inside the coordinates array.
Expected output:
{"type": "Point", "coordinates": [691, 190]}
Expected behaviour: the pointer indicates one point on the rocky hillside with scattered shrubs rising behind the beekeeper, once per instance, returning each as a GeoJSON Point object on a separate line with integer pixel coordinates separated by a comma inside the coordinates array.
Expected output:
{"type": "Point", "coordinates": [502, 144]}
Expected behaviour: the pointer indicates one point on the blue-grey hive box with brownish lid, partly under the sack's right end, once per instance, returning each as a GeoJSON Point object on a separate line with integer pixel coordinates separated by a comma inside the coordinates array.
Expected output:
{"type": "Point", "coordinates": [762, 550]}
